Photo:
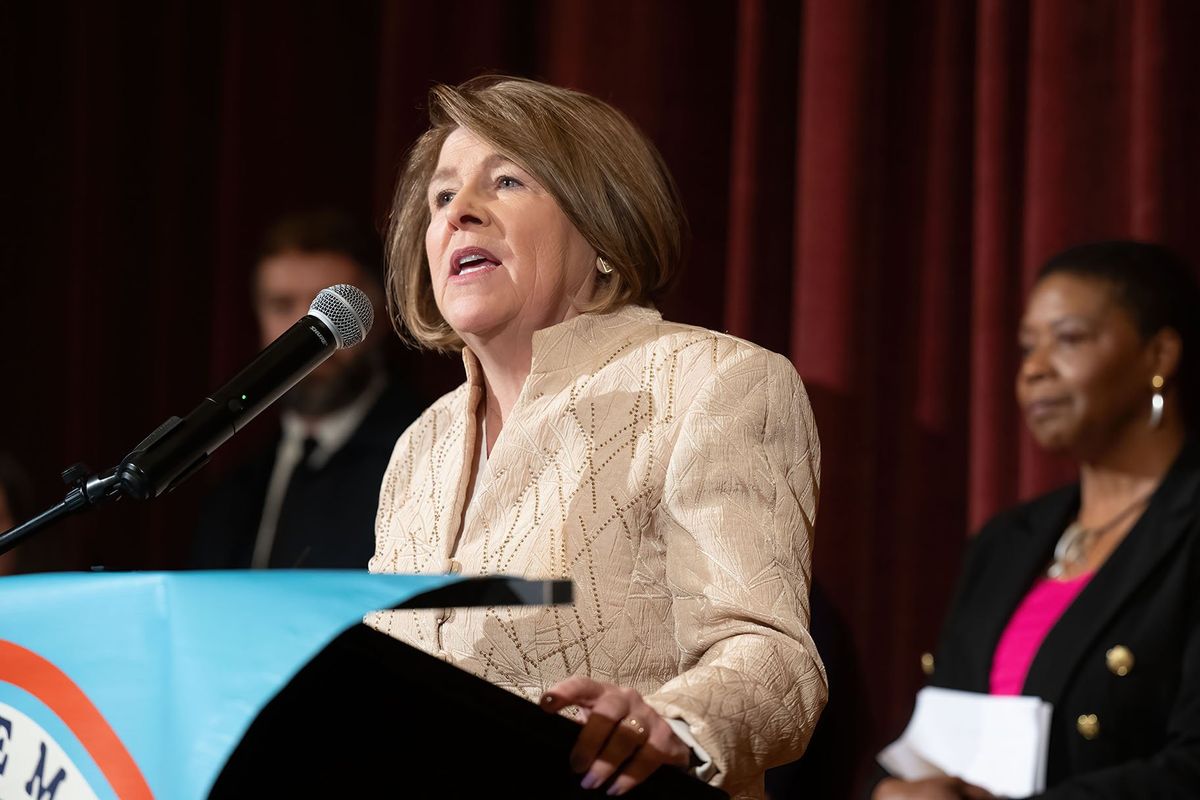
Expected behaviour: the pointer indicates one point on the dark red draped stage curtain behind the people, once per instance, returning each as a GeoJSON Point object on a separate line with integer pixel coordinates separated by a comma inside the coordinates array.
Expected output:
{"type": "Point", "coordinates": [871, 183]}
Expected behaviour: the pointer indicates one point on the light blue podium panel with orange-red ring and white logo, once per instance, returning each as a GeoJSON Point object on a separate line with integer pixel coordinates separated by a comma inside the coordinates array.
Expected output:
{"type": "Point", "coordinates": [140, 685]}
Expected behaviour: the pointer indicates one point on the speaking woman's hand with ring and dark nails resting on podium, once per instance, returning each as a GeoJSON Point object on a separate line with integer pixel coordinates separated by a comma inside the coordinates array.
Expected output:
{"type": "Point", "coordinates": [621, 733]}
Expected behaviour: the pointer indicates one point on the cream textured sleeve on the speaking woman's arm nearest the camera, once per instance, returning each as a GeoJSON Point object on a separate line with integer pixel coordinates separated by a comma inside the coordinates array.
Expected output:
{"type": "Point", "coordinates": [737, 519]}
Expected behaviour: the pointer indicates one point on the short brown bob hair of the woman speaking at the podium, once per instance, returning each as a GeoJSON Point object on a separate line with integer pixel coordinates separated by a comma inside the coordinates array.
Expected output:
{"type": "Point", "coordinates": [608, 178]}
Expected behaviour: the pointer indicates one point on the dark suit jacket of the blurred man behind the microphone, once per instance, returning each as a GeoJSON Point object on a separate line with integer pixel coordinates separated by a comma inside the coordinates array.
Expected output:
{"type": "Point", "coordinates": [329, 520]}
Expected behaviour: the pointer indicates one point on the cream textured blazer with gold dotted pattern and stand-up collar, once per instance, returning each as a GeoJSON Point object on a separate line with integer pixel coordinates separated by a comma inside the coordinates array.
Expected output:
{"type": "Point", "coordinates": [671, 473]}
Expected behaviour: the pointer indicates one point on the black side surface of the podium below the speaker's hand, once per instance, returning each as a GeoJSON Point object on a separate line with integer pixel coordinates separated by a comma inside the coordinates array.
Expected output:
{"type": "Point", "coordinates": [374, 718]}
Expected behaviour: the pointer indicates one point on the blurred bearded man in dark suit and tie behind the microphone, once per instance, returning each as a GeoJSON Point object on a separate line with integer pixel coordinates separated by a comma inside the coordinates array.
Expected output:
{"type": "Point", "coordinates": [310, 500]}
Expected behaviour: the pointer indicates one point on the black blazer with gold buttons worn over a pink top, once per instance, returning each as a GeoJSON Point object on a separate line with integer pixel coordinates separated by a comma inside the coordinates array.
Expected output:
{"type": "Point", "coordinates": [1147, 598]}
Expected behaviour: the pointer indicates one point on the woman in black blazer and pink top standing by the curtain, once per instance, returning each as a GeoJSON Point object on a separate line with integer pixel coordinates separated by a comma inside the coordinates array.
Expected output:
{"type": "Point", "coordinates": [1109, 376]}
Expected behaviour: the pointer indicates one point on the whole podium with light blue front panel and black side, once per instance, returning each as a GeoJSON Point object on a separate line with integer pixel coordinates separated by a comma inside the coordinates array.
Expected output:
{"type": "Point", "coordinates": [265, 685]}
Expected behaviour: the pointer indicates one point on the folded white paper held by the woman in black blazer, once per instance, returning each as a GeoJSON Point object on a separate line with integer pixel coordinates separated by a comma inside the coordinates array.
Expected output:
{"type": "Point", "coordinates": [997, 743]}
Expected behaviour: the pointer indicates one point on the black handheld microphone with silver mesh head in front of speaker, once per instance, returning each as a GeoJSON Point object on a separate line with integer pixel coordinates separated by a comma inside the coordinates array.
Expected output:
{"type": "Point", "coordinates": [340, 317]}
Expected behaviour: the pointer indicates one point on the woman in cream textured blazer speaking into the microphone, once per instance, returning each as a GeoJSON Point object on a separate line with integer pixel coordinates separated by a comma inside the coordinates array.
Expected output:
{"type": "Point", "coordinates": [670, 472]}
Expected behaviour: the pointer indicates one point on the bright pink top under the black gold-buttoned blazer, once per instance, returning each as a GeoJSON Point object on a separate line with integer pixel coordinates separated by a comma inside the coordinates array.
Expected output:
{"type": "Point", "coordinates": [1029, 627]}
